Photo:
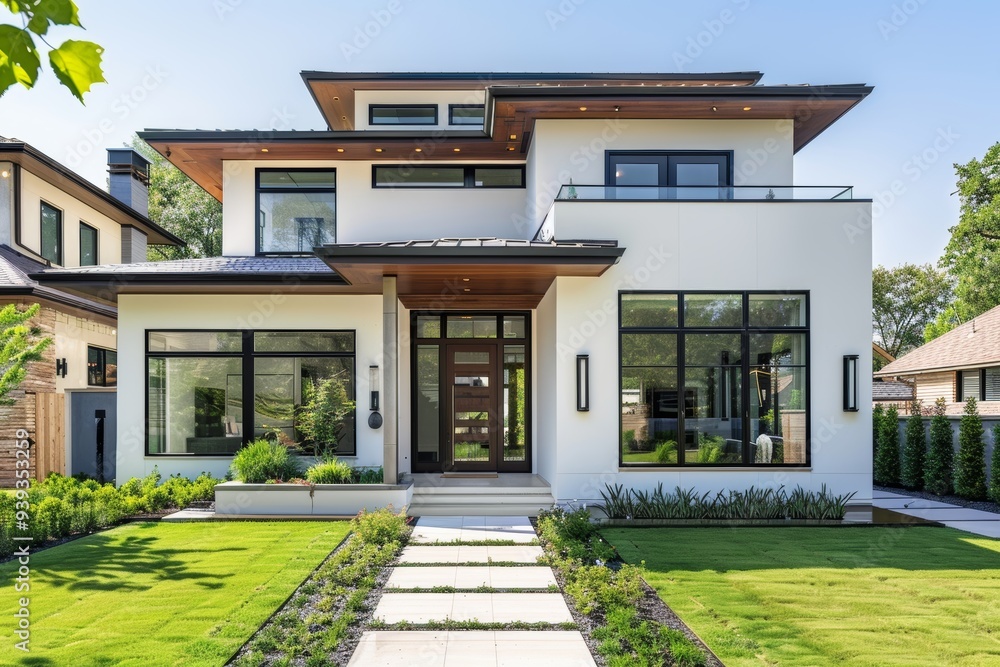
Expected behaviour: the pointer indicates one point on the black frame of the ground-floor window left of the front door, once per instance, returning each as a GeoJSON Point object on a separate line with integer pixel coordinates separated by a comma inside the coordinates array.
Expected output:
{"type": "Point", "coordinates": [247, 356]}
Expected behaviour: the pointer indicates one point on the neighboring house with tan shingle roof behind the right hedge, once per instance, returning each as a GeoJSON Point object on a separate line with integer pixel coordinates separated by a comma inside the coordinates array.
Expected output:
{"type": "Point", "coordinates": [963, 363]}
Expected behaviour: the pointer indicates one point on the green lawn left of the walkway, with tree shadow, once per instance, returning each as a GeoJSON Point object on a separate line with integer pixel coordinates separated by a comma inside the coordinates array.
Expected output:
{"type": "Point", "coordinates": [160, 593]}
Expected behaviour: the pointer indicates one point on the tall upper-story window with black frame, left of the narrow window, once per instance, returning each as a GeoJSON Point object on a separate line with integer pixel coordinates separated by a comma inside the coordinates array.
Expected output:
{"type": "Point", "coordinates": [296, 210]}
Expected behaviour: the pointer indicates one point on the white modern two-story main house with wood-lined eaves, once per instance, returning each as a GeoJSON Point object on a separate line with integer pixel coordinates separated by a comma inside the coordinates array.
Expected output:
{"type": "Point", "coordinates": [591, 278]}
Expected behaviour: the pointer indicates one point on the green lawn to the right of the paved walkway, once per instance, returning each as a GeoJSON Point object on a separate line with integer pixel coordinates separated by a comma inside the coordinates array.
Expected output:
{"type": "Point", "coordinates": [828, 596]}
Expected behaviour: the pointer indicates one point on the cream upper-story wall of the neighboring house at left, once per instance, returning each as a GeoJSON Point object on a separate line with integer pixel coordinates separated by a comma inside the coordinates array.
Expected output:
{"type": "Point", "coordinates": [34, 190]}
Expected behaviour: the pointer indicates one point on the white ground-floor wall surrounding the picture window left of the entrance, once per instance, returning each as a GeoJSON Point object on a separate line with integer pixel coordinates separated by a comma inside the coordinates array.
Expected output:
{"type": "Point", "coordinates": [139, 312]}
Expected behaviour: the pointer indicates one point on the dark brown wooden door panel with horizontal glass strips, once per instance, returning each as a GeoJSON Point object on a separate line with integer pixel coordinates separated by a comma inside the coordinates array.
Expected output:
{"type": "Point", "coordinates": [472, 409]}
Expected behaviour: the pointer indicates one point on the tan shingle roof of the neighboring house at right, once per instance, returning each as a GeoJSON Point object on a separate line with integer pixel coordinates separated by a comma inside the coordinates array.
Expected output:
{"type": "Point", "coordinates": [975, 343]}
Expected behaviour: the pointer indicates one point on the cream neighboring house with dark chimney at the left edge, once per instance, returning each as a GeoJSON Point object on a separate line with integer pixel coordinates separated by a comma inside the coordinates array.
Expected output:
{"type": "Point", "coordinates": [52, 217]}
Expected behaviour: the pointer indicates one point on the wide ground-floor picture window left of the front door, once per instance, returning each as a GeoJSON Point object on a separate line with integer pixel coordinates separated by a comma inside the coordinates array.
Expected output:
{"type": "Point", "coordinates": [208, 392]}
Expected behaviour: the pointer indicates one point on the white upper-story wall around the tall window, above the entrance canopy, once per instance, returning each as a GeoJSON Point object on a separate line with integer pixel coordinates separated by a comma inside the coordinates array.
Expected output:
{"type": "Point", "coordinates": [365, 213]}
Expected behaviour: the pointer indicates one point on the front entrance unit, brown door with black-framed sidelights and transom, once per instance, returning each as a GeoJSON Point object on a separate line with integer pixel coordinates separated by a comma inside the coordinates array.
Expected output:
{"type": "Point", "coordinates": [471, 392]}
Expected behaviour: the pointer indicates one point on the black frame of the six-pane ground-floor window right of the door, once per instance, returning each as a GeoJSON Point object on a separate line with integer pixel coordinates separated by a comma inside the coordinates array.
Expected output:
{"type": "Point", "coordinates": [745, 330]}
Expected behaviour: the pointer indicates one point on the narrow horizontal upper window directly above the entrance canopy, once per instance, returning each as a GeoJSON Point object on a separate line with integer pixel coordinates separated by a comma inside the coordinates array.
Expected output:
{"type": "Point", "coordinates": [447, 176]}
